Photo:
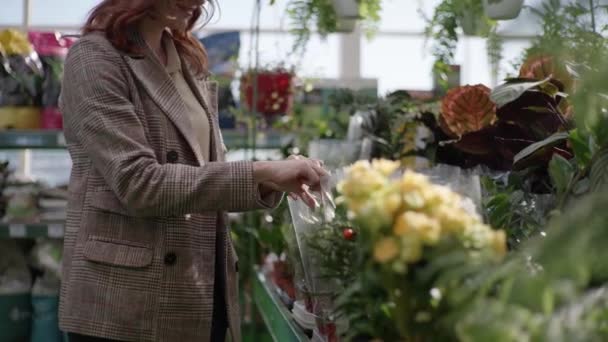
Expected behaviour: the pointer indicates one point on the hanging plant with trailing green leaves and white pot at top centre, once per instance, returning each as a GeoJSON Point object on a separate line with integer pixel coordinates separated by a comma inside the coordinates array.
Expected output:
{"type": "Point", "coordinates": [330, 16]}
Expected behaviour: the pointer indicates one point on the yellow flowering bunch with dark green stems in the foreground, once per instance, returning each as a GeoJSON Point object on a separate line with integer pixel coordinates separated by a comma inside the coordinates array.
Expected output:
{"type": "Point", "coordinates": [412, 228]}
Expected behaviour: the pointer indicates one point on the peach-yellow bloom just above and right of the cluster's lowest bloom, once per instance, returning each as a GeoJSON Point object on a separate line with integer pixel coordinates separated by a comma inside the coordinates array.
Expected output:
{"type": "Point", "coordinates": [420, 225]}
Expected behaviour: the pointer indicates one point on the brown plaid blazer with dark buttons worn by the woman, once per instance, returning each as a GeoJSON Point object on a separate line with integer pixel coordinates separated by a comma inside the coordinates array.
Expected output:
{"type": "Point", "coordinates": [144, 208]}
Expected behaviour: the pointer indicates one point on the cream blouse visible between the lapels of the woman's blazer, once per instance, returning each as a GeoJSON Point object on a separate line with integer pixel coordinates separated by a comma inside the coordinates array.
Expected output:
{"type": "Point", "coordinates": [196, 112]}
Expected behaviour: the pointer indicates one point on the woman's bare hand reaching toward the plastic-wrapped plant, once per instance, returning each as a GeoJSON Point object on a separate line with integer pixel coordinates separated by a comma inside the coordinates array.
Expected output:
{"type": "Point", "coordinates": [295, 176]}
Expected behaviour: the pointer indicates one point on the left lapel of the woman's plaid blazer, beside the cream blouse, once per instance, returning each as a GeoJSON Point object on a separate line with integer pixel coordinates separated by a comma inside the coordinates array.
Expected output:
{"type": "Point", "coordinates": [159, 85]}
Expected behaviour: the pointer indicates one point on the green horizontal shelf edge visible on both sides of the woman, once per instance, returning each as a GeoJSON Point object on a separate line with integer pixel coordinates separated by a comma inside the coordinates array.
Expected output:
{"type": "Point", "coordinates": [234, 139]}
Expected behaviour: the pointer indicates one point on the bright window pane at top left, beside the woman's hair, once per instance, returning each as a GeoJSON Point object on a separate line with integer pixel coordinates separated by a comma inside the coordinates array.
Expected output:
{"type": "Point", "coordinates": [60, 12]}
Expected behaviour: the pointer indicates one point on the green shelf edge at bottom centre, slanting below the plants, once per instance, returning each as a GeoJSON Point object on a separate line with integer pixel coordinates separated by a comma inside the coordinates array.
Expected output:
{"type": "Point", "coordinates": [277, 317]}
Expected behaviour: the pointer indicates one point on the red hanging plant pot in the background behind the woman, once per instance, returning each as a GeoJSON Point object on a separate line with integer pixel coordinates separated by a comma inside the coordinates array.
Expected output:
{"type": "Point", "coordinates": [275, 95]}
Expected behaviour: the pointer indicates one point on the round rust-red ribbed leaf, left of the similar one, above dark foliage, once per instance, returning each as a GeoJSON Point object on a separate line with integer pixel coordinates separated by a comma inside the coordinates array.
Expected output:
{"type": "Point", "coordinates": [467, 109]}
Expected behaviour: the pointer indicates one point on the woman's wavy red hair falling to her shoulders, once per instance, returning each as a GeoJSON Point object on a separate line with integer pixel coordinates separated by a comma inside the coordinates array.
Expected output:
{"type": "Point", "coordinates": [116, 17]}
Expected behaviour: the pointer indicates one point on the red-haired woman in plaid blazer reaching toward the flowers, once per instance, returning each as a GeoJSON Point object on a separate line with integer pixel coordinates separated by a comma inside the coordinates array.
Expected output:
{"type": "Point", "coordinates": [147, 253]}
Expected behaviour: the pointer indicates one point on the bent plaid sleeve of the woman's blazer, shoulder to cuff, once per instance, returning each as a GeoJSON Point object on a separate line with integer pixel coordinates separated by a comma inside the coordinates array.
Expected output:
{"type": "Point", "coordinates": [100, 117]}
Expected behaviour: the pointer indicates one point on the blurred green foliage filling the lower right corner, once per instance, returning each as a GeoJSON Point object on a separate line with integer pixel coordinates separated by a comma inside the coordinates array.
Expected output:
{"type": "Point", "coordinates": [545, 291]}
